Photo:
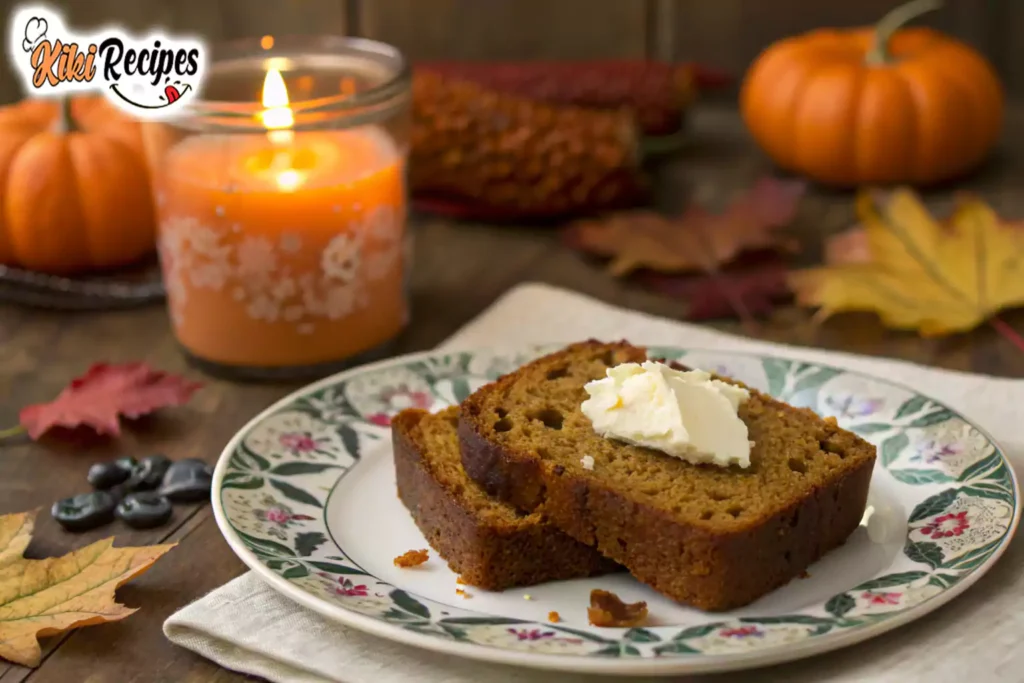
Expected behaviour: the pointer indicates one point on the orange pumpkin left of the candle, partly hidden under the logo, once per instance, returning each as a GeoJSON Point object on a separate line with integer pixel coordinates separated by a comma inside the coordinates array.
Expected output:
{"type": "Point", "coordinates": [74, 188]}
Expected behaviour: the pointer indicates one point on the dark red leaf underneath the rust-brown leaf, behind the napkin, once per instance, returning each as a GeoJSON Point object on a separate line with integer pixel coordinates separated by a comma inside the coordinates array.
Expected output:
{"type": "Point", "coordinates": [754, 288]}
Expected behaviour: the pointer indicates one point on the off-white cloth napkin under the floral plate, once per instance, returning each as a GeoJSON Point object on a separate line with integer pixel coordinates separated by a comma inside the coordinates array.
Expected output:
{"type": "Point", "coordinates": [247, 627]}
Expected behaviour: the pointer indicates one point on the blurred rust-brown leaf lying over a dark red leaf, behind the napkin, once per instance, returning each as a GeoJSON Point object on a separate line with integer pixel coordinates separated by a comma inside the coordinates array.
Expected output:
{"type": "Point", "coordinates": [698, 240]}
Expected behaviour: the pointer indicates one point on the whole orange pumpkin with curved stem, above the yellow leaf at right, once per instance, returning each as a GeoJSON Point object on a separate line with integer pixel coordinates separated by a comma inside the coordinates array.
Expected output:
{"type": "Point", "coordinates": [881, 106]}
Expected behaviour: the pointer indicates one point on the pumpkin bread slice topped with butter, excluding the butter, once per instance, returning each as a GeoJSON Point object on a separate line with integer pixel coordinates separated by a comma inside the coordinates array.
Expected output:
{"type": "Point", "coordinates": [713, 538]}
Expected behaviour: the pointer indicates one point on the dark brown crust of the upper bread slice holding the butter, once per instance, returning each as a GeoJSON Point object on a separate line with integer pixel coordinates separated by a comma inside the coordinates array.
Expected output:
{"type": "Point", "coordinates": [709, 569]}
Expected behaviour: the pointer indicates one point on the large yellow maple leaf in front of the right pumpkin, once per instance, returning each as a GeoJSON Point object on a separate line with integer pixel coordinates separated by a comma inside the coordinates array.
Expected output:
{"type": "Point", "coordinates": [923, 275]}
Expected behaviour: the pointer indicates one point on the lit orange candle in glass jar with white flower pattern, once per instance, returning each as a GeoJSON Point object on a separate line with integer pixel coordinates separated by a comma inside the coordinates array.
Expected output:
{"type": "Point", "coordinates": [282, 205]}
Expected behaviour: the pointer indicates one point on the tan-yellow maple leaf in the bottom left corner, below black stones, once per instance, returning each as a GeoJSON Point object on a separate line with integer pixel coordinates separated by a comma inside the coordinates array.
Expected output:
{"type": "Point", "coordinates": [41, 599]}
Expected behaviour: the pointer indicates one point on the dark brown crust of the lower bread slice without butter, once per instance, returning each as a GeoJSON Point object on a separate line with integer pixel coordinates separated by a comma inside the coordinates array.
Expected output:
{"type": "Point", "coordinates": [485, 553]}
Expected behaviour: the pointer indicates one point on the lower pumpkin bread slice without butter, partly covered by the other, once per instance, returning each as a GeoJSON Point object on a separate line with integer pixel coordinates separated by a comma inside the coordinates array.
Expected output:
{"type": "Point", "coordinates": [489, 543]}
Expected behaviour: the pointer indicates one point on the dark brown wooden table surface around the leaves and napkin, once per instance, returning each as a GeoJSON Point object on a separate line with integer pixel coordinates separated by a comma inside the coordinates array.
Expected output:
{"type": "Point", "coordinates": [460, 270]}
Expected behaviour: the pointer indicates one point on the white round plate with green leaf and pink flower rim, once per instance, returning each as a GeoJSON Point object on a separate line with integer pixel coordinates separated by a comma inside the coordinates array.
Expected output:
{"type": "Point", "coordinates": [306, 496]}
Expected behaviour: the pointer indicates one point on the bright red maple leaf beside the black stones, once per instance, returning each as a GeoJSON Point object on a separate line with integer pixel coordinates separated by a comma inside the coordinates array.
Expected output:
{"type": "Point", "coordinates": [104, 395]}
